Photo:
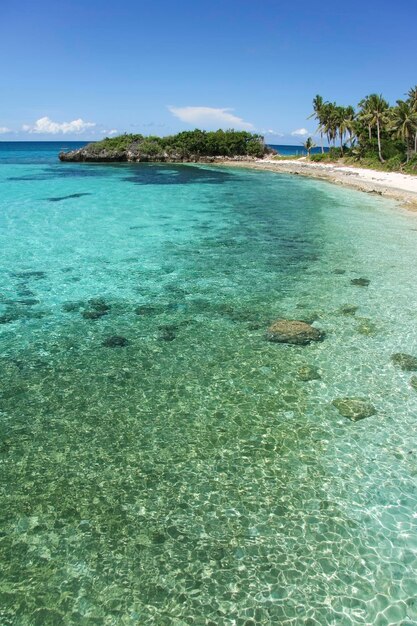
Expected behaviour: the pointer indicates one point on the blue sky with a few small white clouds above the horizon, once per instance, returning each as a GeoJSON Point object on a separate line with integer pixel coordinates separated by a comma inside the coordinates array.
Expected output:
{"type": "Point", "coordinates": [85, 69]}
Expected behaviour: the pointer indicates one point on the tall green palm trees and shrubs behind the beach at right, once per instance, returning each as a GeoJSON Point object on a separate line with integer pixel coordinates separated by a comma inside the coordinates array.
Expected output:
{"type": "Point", "coordinates": [376, 135]}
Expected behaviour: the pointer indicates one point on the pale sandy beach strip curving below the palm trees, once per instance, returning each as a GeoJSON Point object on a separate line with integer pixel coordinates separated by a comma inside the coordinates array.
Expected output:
{"type": "Point", "coordinates": [402, 187]}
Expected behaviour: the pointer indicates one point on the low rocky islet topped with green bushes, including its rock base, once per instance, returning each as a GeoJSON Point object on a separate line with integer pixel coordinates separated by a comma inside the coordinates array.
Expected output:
{"type": "Point", "coordinates": [185, 147]}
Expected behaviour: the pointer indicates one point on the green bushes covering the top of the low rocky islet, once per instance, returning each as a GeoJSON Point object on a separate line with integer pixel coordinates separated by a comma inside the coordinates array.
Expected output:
{"type": "Point", "coordinates": [195, 143]}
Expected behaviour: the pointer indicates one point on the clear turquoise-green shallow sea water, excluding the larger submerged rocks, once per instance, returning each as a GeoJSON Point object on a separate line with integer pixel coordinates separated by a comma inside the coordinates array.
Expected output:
{"type": "Point", "coordinates": [189, 476]}
